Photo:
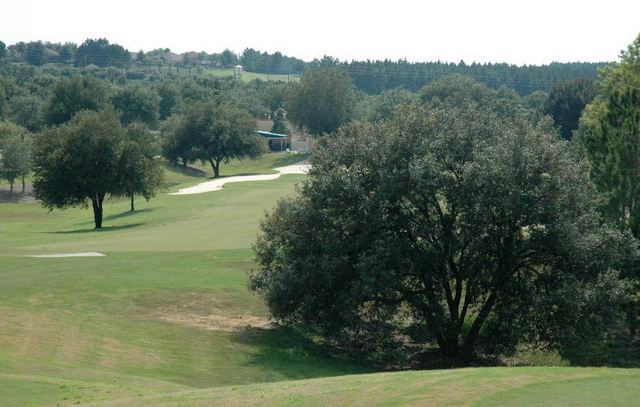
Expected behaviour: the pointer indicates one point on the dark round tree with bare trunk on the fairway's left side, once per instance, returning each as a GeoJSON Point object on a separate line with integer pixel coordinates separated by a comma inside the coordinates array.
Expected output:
{"type": "Point", "coordinates": [78, 162]}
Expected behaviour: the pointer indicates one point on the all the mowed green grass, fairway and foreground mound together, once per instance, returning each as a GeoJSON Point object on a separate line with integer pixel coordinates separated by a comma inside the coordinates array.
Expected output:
{"type": "Point", "coordinates": [166, 318]}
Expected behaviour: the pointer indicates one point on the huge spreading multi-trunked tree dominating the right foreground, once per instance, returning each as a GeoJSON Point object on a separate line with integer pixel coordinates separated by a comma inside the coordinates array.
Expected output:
{"type": "Point", "coordinates": [454, 226]}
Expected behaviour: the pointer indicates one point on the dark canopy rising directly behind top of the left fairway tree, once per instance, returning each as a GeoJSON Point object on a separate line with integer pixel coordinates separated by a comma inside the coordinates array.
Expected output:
{"type": "Point", "coordinates": [69, 96]}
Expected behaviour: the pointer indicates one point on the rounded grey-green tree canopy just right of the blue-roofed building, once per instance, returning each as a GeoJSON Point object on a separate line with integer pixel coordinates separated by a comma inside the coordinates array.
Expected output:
{"type": "Point", "coordinates": [323, 101]}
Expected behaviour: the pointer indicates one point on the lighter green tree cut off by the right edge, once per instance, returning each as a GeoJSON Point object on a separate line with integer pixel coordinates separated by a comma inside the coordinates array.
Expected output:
{"type": "Point", "coordinates": [609, 136]}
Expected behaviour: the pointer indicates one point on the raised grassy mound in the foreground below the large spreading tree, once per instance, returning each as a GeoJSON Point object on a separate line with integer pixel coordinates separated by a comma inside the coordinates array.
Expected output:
{"type": "Point", "coordinates": [459, 387]}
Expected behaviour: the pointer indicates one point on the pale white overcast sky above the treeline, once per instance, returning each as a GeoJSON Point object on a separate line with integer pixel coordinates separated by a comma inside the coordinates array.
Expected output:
{"type": "Point", "coordinates": [518, 32]}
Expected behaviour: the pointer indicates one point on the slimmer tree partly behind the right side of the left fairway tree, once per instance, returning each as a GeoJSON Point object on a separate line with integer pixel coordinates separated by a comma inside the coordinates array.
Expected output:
{"type": "Point", "coordinates": [141, 172]}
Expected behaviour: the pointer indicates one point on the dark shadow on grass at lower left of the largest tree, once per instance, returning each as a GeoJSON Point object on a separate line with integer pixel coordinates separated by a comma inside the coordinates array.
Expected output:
{"type": "Point", "coordinates": [293, 355]}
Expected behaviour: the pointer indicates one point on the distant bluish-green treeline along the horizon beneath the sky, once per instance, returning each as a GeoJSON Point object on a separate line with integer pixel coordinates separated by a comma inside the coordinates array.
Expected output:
{"type": "Point", "coordinates": [371, 77]}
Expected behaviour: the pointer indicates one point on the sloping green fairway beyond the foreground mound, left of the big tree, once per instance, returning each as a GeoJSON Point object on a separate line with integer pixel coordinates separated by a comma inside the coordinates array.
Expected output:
{"type": "Point", "coordinates": [97, 319]}
